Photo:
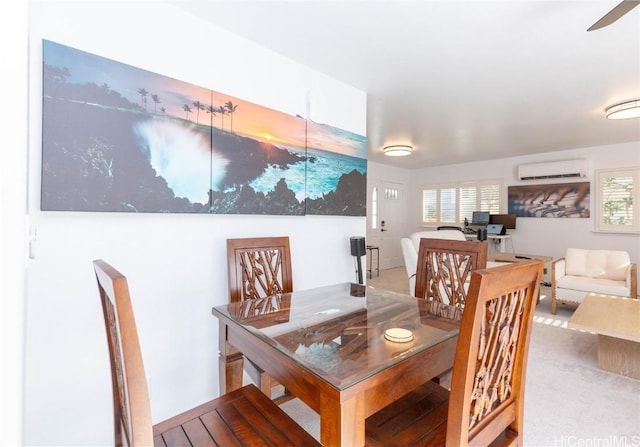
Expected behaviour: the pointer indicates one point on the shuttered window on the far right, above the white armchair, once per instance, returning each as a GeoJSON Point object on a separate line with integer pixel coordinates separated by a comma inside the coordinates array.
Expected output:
{"type": "Point", "coordinates": [616, 192]}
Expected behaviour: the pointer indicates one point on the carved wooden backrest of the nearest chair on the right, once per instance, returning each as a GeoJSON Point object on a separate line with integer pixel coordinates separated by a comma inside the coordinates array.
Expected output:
{"type": "Point", "coordinates": [489, 372]}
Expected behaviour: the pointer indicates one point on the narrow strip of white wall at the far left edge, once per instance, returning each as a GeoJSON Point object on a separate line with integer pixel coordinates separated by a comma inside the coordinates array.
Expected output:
{"type": "Point", "coordinates": [13, 199]}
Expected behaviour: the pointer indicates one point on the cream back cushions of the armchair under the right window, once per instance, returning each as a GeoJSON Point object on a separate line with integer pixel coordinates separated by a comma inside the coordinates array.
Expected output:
{"type": "Point", "coordinates": [604, 264]}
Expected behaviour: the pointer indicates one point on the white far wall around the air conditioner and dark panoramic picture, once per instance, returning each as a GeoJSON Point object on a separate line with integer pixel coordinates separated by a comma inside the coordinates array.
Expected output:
{"type": "Point", "coordinates": [538, 235]}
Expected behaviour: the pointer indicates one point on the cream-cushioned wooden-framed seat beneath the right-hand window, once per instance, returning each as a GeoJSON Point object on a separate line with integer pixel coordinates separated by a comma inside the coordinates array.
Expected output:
{"type": "Point", "coordinates": [582, 271]}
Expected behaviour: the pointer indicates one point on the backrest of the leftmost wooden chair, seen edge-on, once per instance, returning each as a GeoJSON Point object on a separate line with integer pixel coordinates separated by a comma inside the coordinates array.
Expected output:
{"type": "Point", "coordinates": [132, 411]}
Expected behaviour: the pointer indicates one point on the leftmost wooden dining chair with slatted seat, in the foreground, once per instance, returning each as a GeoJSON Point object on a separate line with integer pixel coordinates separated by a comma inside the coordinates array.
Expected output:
{"type": "Point", "coordinates": [242, 417]}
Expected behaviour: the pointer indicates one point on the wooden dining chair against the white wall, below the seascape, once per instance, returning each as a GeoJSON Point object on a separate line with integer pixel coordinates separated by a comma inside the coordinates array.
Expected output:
{"type": "Point", "coordinates": [259, 267]}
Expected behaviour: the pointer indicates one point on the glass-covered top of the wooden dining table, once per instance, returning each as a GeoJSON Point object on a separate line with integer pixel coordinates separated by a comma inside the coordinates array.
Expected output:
{"type": "Point", "coordinates": [338, 332]}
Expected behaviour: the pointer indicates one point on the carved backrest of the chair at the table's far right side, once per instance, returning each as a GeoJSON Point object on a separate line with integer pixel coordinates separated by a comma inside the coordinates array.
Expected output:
{"type": "Point", "coordinates": [444, 269]}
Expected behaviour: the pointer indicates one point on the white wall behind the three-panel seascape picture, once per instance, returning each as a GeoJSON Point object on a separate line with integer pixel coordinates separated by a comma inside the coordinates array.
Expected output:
{"type": "Point", "coordinates": [176, 264]}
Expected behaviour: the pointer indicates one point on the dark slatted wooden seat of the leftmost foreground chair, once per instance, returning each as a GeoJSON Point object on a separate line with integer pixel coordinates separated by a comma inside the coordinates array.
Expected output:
{"type": "Point", "coordinates": [242, 417]}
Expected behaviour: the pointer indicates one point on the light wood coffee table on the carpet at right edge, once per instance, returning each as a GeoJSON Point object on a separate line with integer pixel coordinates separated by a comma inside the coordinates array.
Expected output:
{"type": "Point", "coordinates": [616, 320]}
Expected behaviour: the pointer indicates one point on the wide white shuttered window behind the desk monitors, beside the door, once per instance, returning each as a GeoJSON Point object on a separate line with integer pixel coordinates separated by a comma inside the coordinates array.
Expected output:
{"type": "Point", "coordinates": [451, 203]}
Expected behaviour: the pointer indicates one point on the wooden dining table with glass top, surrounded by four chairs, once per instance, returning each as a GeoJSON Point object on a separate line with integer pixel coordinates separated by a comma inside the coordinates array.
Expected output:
{"type": "Point", "coordinates": [327, 346]}
